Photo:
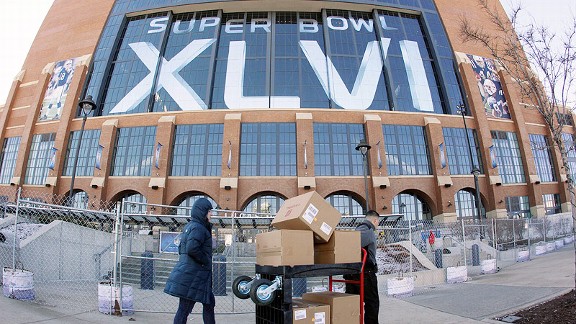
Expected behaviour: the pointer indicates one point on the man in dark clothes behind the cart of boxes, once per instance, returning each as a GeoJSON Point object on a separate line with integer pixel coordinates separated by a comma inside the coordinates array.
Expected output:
{"type": "Point", "coordinates": [368, 241]}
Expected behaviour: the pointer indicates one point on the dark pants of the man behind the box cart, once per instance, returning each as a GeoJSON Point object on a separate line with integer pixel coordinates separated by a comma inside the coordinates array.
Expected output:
{"type": "Point", "coordinates": [371, 298]}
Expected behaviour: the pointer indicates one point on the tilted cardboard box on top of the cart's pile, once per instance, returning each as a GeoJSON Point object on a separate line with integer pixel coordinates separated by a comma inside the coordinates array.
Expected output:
{"type": "Point", "coordinates": [308, 212]}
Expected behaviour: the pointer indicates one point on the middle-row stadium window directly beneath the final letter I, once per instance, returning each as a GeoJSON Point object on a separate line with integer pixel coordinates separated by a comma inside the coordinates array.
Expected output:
{"type": "Point", "coordinates": [406, 150]}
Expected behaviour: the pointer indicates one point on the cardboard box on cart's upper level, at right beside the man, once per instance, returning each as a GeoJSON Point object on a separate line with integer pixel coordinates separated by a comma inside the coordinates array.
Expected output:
{"type": "Point", "coordinates": [343, 247]}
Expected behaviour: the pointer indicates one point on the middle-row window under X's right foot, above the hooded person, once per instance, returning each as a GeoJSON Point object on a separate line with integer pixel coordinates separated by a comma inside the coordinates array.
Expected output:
{"type": "Point", "coordinates": [197, 150]}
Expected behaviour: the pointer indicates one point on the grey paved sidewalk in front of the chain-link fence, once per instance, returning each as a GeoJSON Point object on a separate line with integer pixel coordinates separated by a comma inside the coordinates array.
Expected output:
{"type": "Point", "coordinates": [478, 300]}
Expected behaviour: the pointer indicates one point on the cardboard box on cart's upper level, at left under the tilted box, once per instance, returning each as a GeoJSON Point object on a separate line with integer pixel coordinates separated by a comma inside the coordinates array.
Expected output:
{"type": "Point", "coordinates": [285, 247]}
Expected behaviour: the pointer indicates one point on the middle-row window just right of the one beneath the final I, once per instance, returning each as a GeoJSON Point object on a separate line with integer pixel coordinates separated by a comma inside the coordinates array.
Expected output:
{"type": "Point", "coordinates": [458, 153]}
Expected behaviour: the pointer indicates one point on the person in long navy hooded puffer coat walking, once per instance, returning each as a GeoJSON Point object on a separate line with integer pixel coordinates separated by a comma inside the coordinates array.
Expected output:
{"type": "Point", "coordinates": [191, 278]}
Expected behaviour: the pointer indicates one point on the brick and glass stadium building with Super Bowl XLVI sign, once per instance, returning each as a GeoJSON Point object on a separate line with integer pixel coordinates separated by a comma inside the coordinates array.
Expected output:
{"type": "Point", "coordinates": [250, 103]}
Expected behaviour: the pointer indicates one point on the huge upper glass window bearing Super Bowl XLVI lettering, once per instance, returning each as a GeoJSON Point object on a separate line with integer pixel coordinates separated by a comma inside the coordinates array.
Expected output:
{"type": "Point", "coordinates": [198, 60]}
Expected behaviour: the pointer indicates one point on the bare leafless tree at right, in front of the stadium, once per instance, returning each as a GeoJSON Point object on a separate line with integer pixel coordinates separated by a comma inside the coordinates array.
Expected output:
{"type": "Point", "coordinates": [541, 65]}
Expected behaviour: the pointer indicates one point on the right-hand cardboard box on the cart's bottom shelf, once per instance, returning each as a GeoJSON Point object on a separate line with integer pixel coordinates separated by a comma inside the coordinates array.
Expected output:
{"type": "Point", "coordinates": [344, 308]}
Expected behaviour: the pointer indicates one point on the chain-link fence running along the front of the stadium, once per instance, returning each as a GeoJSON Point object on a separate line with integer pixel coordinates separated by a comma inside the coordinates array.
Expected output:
{"type": "Point", "coordinates": [116, 257]}
